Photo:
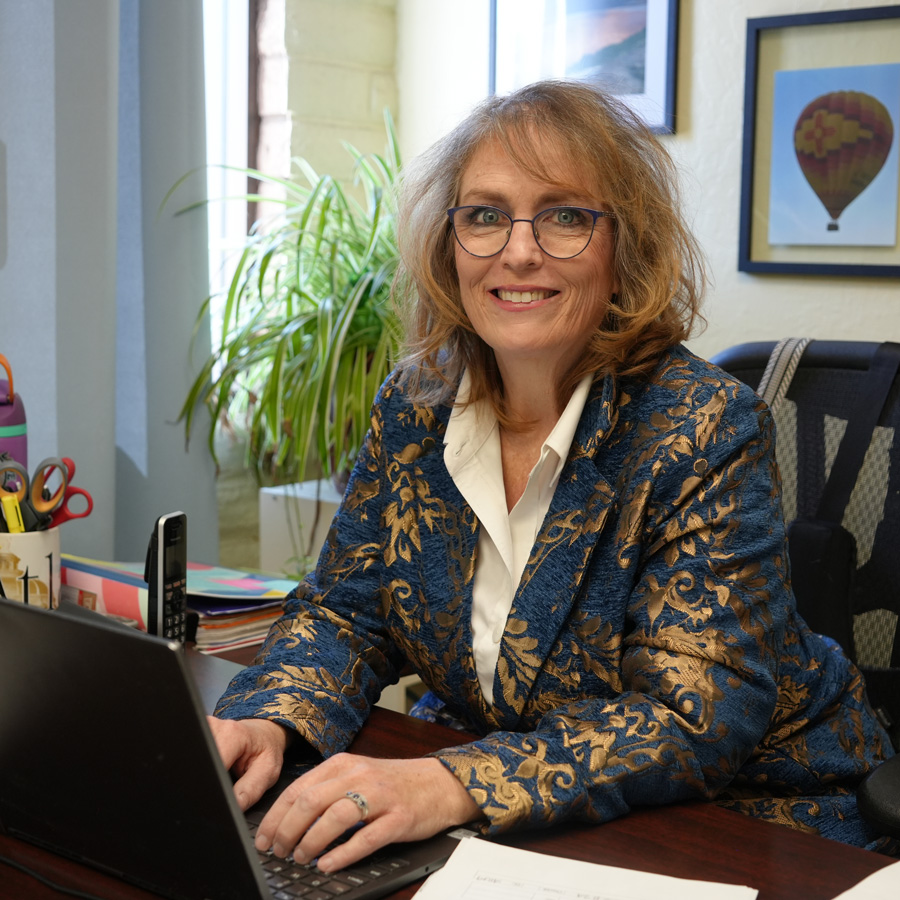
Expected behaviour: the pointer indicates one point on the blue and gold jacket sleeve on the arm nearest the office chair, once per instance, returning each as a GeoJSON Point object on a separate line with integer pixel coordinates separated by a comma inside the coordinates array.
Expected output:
{"type": "Point", "coordinates": [696, 686]}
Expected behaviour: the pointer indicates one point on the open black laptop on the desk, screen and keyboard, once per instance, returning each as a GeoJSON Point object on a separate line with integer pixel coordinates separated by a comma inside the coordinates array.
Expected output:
{"type": "Point", "coordinates": [106, 758]}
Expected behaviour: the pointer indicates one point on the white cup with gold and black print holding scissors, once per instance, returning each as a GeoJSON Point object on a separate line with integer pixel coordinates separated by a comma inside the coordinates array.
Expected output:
{"type": "Point", "coordinates": [30, 567]}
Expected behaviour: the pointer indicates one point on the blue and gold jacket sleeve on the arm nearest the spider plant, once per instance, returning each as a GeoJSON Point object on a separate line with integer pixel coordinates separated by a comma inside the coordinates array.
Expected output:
{"type": "Point", "coordinates": [326, 660]}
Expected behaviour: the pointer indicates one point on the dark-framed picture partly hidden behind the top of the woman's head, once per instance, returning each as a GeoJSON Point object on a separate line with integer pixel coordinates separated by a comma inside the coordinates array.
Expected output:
{"type": "Point", "coordinates": [630, 47]}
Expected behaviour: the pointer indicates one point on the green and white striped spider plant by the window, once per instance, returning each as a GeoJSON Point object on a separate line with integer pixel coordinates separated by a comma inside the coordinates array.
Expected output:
{"type": "Point", "coordinates": [307, 332]}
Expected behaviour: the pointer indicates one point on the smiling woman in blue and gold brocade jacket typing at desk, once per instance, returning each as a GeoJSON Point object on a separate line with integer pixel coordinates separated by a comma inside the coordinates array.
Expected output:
{"type": "Point", "coordinates": [565, 522]}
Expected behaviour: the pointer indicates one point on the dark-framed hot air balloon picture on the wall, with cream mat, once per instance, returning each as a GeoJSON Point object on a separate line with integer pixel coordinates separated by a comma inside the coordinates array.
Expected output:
{"type": "Point", "coordinates": [803, 71]}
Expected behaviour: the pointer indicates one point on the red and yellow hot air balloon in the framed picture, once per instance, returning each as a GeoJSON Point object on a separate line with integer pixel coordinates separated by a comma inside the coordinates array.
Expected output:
{"type": "Point", "coordinates": [842, 140]}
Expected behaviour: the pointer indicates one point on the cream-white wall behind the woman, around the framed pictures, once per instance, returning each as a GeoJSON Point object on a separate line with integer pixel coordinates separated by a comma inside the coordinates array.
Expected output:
{"type": "Point", "coordinates": [442, 70]}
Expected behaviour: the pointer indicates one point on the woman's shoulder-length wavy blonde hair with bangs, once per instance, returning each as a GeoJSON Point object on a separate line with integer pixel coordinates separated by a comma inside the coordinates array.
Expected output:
{"type": "Point", "coordinates": [658, 265]}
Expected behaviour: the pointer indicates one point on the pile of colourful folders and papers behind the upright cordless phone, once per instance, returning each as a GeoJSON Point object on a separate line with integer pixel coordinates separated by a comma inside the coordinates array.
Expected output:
{"type": "Point", "coordinates": [227, 608]}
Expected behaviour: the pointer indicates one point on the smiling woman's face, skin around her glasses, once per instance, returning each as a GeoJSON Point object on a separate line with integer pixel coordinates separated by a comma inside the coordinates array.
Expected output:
{"type": "Point", "coordinates": [528, 306]}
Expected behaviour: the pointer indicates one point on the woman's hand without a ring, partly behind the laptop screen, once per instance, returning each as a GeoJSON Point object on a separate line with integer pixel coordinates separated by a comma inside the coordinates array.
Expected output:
{"type": "Point", "coordinates": [253, 749]}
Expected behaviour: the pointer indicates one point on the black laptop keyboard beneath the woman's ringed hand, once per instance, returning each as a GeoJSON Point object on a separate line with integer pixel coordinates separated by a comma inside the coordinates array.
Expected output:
{"type": "Point", "coordinates": [289, 880]}
